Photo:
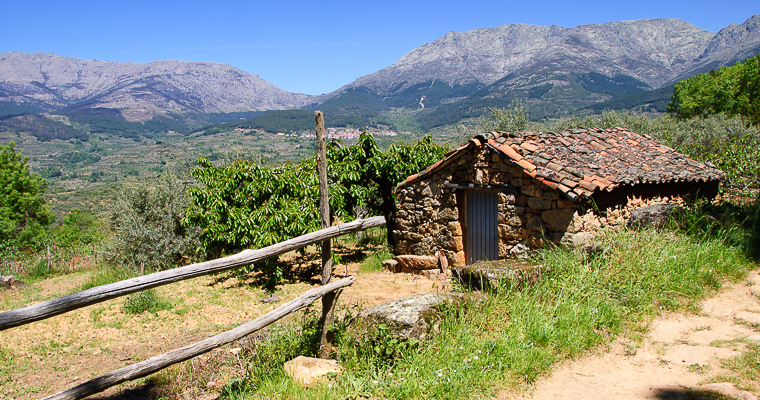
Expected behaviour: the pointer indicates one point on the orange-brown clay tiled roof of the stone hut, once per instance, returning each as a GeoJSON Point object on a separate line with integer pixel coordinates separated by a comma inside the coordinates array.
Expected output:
{"type": "Point", "coordinates": [580, 162]}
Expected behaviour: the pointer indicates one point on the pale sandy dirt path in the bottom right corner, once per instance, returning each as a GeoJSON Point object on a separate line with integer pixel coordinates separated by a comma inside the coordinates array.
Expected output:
{"type": "Point", "coordinates": [674, 360]}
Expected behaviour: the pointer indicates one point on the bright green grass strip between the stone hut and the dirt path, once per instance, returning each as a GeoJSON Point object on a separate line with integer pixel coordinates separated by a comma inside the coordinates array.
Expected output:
{"type": "Point", "coordinates": [511, 338]}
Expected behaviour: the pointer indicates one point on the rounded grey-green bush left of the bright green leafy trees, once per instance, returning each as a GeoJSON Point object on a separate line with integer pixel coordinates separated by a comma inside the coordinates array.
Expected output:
{"type": "Point", "coordinates": [147, 218]}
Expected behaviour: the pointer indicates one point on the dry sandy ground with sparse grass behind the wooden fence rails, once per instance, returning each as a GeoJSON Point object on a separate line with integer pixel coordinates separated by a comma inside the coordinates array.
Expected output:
{"type": "Point", "coordinates": [54, 354]}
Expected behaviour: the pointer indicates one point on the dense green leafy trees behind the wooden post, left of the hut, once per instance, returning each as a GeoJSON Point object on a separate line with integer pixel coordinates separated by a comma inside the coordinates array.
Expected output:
{"type": "Point", "coordinates": [244, 205]}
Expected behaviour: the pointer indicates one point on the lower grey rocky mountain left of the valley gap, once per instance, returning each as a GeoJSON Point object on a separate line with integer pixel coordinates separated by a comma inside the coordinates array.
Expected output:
{"type": "Point", "coordinates": [140, 91]}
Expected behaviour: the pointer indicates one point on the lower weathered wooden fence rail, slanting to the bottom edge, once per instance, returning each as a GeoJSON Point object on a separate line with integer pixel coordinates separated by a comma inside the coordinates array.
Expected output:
{"type": "Point", "coordinates": [162, 361]}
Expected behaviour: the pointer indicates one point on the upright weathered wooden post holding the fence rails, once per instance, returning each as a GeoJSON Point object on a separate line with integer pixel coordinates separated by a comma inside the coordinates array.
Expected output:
{"type": "Point", "coordinates": [328, 300]}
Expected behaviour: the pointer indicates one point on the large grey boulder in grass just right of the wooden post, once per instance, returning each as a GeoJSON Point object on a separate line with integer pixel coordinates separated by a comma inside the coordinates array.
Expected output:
{"type": "Point", "coordinates": [413, 317]}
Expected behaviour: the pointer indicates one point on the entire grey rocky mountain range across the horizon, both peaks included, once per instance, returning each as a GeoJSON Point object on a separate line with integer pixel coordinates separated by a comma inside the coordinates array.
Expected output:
{"type": "Point", "coordinates": [553, 70]}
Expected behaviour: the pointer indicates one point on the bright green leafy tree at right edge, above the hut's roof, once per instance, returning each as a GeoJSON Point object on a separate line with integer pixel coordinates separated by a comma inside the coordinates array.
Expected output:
{"type": "Point", "coordinates": [733, 90]}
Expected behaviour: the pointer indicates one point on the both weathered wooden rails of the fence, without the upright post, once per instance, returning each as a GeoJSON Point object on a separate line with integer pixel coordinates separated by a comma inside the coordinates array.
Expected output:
{"type": "Point", "coordinates": [36, 312]}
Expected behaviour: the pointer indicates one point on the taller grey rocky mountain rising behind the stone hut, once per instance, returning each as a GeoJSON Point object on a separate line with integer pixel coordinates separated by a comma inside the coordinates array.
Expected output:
{"type": "Point", "coordinates": [554, 70]}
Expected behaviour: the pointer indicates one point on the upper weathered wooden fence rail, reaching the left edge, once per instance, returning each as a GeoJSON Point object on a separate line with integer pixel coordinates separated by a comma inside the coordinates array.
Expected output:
{"type": "Point", "coordinates": [36, 312]}
